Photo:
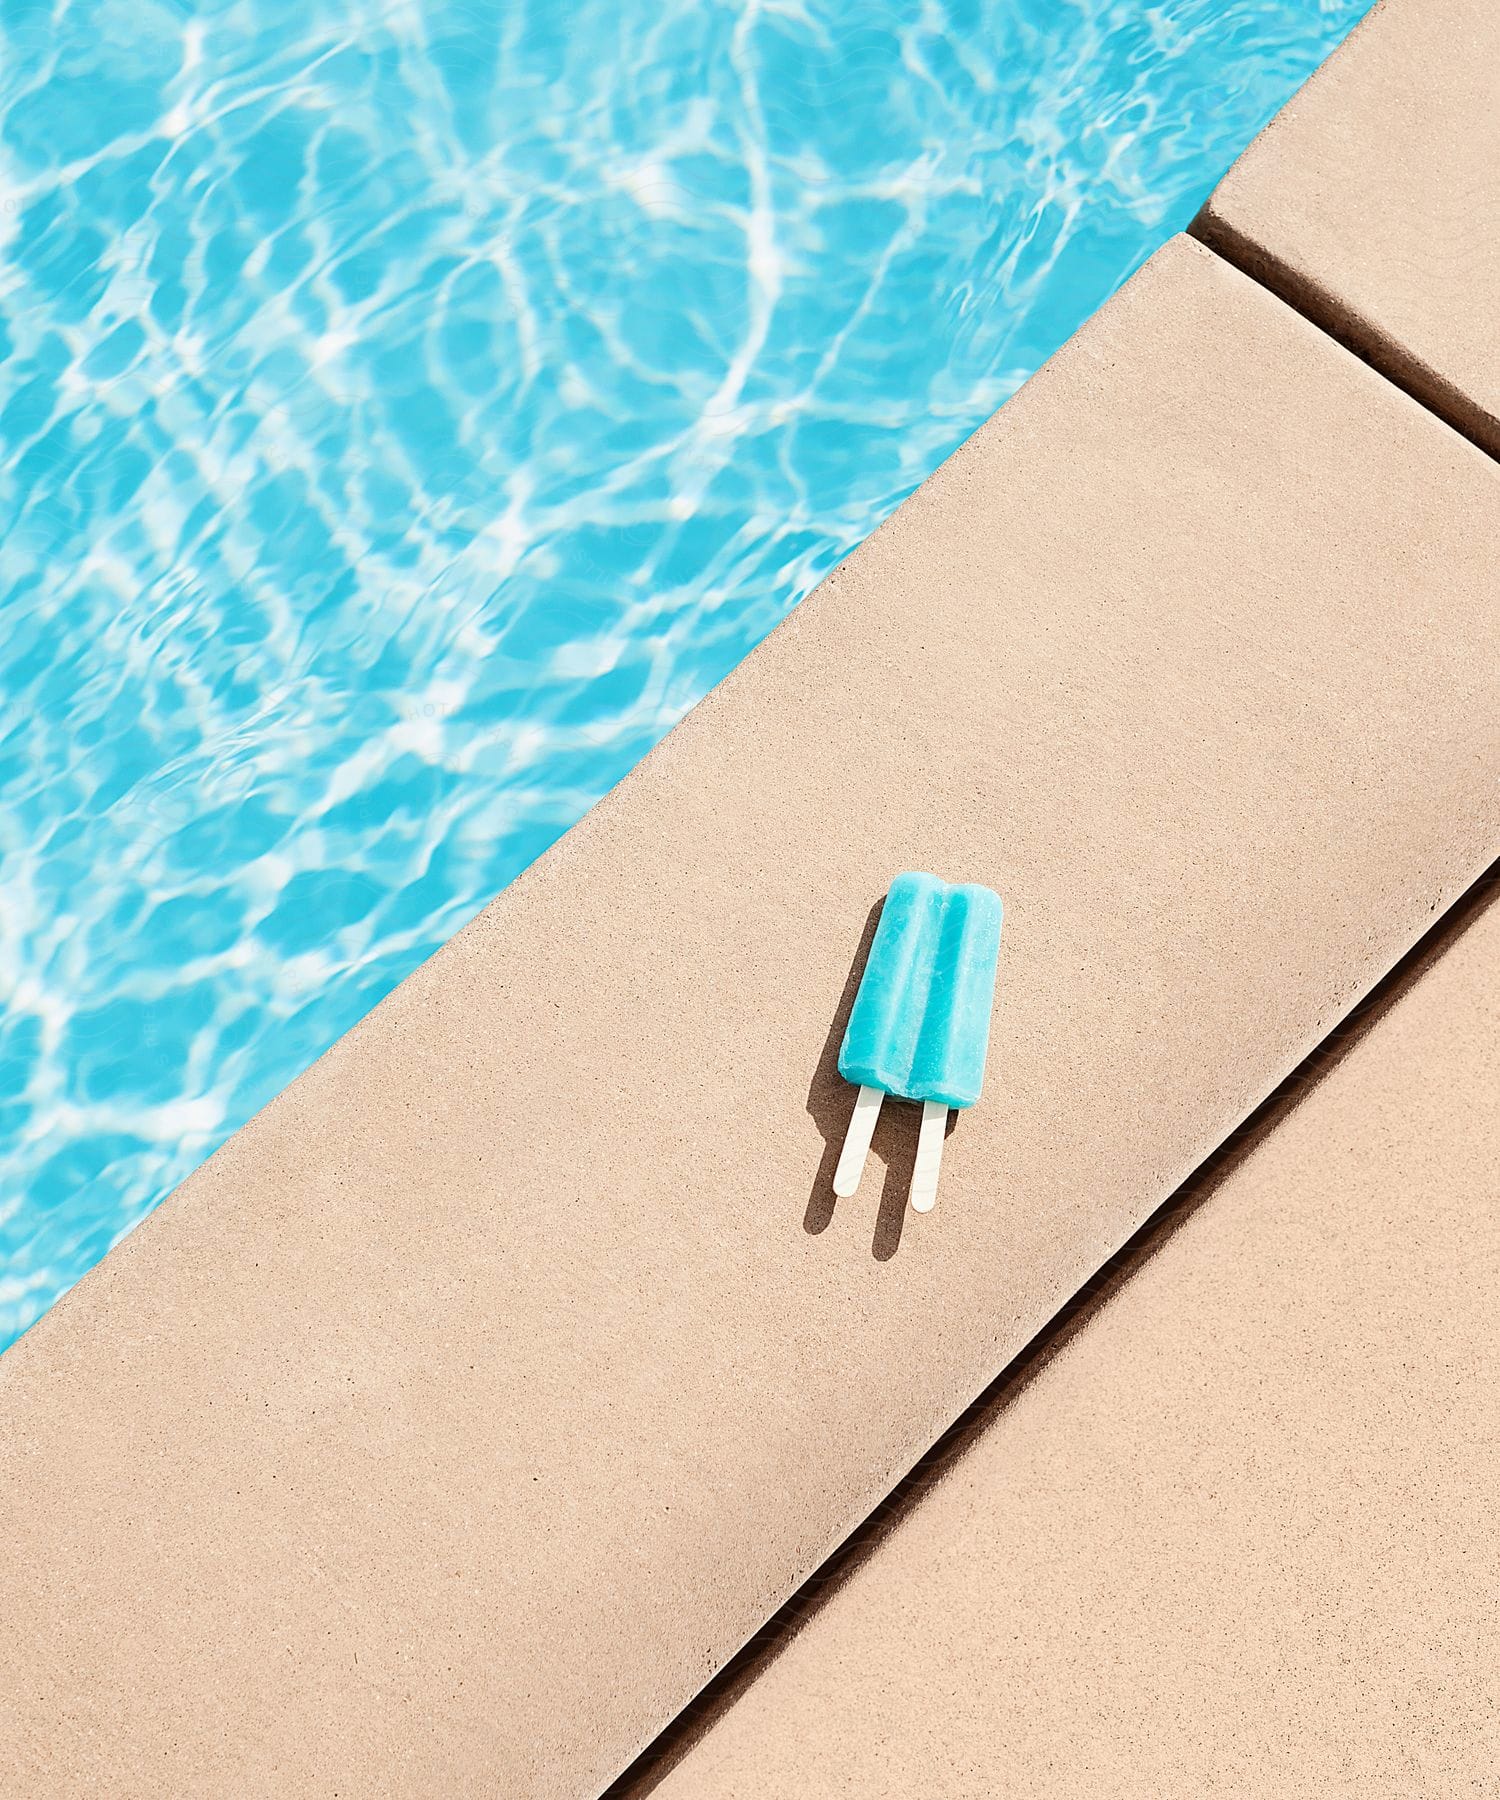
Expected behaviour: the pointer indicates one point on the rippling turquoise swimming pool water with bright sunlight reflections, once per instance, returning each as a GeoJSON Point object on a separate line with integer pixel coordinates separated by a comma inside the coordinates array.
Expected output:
{"type": "Point", "coordinates": [408, 413]}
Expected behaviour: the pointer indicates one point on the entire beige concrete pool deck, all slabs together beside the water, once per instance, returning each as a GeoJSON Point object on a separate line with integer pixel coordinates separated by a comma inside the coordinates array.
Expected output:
{"type": "Point", "coordinates": [467, 1412]}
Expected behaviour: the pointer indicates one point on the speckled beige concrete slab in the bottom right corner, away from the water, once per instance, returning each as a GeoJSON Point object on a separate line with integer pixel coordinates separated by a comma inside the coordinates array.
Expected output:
{"type": "Point", "coordinates": [1238, 1534]}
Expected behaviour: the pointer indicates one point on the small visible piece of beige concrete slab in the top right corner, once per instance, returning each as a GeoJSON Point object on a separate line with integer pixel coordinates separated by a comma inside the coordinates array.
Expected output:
{"type": "Point", "coordinates": [1373, 202]}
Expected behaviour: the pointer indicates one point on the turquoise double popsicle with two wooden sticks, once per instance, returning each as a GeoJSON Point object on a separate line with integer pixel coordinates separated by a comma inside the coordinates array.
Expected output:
{"type": "Point", "coordinates": [921, 1021]}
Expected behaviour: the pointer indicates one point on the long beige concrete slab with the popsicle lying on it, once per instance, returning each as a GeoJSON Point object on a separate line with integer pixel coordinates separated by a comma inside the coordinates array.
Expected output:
{"type": "Point", "coordinates": [473, 1405]}
